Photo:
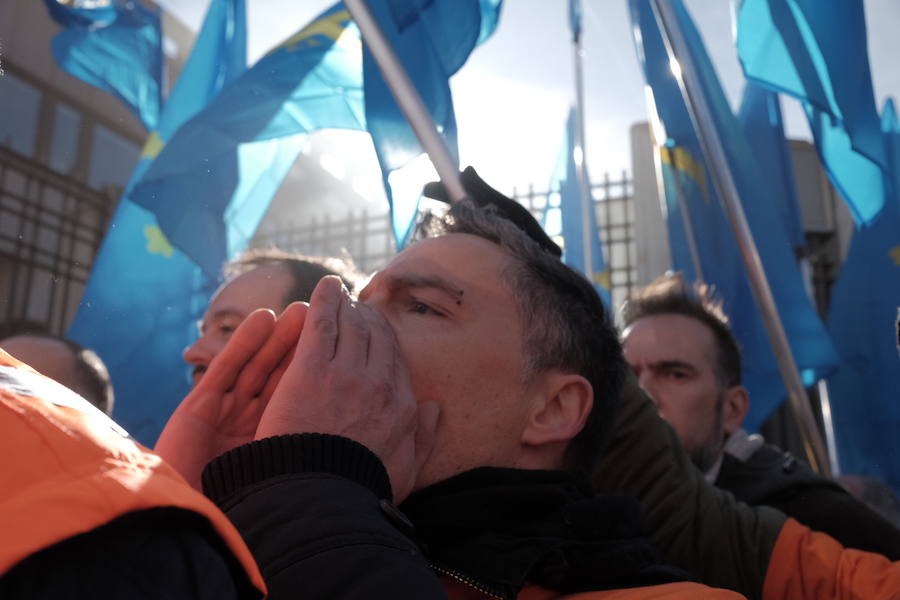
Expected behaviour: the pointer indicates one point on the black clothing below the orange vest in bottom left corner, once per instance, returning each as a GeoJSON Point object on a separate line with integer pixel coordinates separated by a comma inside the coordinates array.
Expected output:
{"type": "Point", "coordinates": [157, 553]}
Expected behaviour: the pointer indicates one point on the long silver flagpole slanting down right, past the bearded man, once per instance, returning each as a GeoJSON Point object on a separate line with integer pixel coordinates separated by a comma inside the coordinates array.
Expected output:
{"type": "Point", "coordinates": [713, 151]}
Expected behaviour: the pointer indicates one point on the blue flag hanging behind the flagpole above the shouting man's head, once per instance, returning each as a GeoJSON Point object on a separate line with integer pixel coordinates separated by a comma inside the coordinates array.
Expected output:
{"type": "Point", "coordinates": [433, 39]}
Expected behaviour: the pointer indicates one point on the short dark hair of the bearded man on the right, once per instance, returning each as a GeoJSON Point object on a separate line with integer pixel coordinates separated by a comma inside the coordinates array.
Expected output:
{"type": "Point", "coordinates": [672, 295]}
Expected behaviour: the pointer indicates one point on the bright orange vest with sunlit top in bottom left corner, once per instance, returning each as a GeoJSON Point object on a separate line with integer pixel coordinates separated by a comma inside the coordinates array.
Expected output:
{"type": "Point", "coordinates": [67, 469]}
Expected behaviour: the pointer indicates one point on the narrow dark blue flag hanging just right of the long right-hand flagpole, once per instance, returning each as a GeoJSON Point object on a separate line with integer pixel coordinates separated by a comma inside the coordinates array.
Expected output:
{"type": "Point", "coordinates": [761, 122]}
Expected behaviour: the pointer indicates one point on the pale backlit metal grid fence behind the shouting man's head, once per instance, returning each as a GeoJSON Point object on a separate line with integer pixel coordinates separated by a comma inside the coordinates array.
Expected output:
{"type": "Point", "coordinates": [367, 237]}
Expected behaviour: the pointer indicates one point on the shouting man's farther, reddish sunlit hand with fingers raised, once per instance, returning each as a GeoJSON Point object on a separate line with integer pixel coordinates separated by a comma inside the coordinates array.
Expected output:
{"type": "Point", "coordinates": [224, 408]}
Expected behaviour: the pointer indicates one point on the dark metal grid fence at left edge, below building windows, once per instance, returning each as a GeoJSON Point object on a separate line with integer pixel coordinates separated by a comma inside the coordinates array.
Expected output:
{"type": "Point", "coordinates": [50, 230]}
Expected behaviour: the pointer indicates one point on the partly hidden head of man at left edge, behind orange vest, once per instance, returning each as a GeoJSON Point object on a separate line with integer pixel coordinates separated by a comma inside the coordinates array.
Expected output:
{"type": "Point", "coordinates": [71, 364]}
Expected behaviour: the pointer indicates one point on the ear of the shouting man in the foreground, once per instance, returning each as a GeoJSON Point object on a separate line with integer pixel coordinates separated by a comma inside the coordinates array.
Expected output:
{"type": "Point", "coordinates": [561, 410]}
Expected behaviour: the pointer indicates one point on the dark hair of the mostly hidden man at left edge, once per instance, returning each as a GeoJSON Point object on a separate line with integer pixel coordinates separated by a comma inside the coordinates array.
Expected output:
{"type": "Point", "coordinates": [91, 376]}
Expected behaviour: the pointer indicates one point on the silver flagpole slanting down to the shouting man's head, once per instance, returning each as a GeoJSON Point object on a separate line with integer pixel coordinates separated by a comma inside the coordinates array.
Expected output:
{"type": "Point", "coordinates": [407, 97]}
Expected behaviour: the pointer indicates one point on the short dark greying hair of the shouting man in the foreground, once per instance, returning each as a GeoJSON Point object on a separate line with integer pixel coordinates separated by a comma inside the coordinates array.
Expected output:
{"type": "Point", "coordinates": [566, 325]}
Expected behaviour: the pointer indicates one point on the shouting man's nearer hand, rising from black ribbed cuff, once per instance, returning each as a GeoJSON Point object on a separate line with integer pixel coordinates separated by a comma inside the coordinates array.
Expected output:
{"type": "Point", "coordinates": [348, 378]}
